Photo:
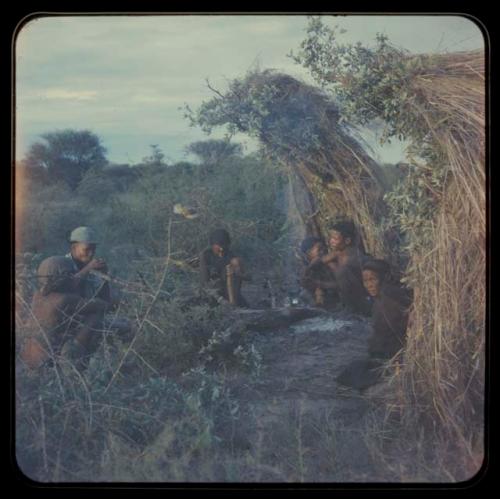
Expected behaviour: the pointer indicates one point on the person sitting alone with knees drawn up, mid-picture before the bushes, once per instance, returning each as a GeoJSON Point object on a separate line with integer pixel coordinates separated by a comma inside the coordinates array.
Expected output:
{"type": "Point", "coordinates": [221, 269]}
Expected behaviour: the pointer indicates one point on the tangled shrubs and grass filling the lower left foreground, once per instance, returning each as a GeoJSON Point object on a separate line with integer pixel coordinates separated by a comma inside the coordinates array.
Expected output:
{"type": "Point", "coordinates": [145, 412]}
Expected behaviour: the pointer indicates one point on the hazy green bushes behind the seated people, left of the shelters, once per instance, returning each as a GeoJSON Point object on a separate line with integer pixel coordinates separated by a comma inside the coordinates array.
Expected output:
{"type": "Point", "coordinates": [133, 206]}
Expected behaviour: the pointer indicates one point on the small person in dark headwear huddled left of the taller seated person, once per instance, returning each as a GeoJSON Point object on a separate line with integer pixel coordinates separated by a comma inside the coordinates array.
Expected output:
{"type": "Point", "coordinates": [317, 277]}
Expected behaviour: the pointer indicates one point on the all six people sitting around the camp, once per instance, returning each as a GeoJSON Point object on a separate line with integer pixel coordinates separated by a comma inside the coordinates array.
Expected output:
{"type": "Point", "coordinates": [73, 297]}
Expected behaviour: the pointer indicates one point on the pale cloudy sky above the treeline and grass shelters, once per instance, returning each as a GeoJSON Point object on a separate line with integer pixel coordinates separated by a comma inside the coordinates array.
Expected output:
{"type": "Point", "coordinates": [125, 77]}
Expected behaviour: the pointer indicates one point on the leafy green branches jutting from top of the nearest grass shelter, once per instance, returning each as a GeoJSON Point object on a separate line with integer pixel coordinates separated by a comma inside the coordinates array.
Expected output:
{"type": "Point", "coordinates": [368, 83]}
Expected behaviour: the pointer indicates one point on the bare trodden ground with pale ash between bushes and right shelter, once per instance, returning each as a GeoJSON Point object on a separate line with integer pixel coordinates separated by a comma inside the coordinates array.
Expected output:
{"type": "Point", "coordinates": [296, 422]}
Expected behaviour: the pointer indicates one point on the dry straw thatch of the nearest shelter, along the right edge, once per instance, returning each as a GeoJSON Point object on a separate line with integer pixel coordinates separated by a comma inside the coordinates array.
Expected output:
{"type": "Point", "coordinates": [444, 367]}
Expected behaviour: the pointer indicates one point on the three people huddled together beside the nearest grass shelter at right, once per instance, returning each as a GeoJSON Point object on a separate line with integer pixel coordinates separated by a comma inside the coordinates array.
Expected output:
{"type": "Point", "coordinates": [345, 275]}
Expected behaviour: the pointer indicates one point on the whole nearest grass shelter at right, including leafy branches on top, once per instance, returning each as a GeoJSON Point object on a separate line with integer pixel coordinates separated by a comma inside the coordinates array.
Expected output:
{"type": "Point", "coordinates": [437, 102]}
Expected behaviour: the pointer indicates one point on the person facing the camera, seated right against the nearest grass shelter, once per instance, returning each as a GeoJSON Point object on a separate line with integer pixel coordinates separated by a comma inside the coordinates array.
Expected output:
{"type": "Point", "coordinates": [389, 323]}
